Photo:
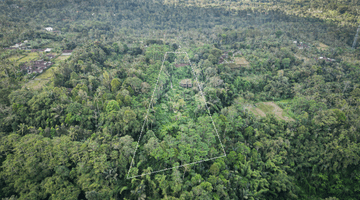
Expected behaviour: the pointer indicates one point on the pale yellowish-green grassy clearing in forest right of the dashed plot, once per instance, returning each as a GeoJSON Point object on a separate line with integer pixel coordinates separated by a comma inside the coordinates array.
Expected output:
{"type": "Point", "coordinates": [264, 108]}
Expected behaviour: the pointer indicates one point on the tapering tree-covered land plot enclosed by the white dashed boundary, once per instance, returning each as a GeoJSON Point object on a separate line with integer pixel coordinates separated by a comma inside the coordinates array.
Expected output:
{"type": "Point", "coordinates": [186, 134]}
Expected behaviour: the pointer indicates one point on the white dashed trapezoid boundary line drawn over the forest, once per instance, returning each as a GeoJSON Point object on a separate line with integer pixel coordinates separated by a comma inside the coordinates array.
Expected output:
{"type": "Point", "coordinates": [152, 97]}
